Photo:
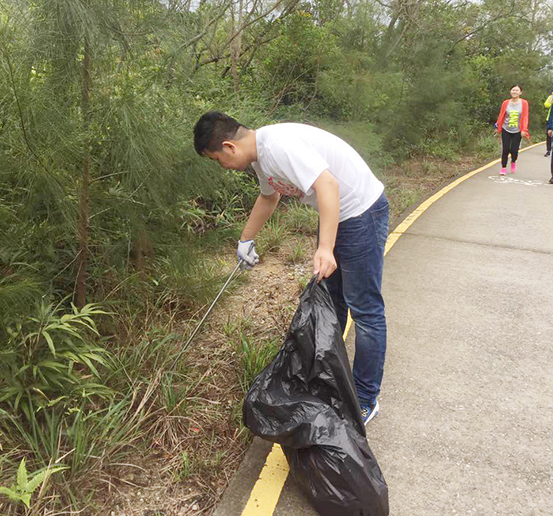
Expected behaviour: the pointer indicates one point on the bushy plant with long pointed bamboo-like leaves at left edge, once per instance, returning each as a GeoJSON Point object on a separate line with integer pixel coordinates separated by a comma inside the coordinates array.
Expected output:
{"type": "Point", "coordinates": [50, 358]}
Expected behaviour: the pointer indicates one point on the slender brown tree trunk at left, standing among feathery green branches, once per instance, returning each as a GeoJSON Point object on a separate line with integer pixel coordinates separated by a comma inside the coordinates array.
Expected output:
{"type": "Point", "coordinates": [85, 183]}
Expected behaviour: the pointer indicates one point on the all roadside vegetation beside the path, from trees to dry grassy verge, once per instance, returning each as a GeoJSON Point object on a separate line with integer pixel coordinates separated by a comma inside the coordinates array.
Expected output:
{"type": "Point", "coordinates": [115, 236]}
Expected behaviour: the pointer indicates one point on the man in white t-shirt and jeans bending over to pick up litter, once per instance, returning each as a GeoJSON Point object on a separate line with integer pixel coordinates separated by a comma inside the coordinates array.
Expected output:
{"type": "Point", "coordinates": [324, 172]}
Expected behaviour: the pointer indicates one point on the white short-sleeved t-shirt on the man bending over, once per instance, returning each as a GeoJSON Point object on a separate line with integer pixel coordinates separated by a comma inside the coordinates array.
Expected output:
{"type": "Point", "coordinates": [290, 158]}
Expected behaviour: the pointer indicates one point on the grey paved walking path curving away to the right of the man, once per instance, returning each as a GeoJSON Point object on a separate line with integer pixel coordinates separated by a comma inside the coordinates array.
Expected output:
{"type": "Point", "coordinates": [466, 423]}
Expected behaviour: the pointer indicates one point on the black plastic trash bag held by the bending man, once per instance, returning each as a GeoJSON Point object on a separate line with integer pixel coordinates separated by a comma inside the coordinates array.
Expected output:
{"type": "Point", "coordinates": [306, 401]}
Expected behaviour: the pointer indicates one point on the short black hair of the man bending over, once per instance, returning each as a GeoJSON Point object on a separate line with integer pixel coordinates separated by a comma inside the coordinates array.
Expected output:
{"type": "Point", "coordinates": [212, 129]}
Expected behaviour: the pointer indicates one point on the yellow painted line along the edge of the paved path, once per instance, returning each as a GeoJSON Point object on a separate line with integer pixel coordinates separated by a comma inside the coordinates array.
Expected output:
{"type": "Point", "coordinates": [268, 487]}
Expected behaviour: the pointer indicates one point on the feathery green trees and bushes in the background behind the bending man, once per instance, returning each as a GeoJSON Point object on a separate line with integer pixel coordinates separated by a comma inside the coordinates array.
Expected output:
{"type": "Point", "coordinates": [98, 99]}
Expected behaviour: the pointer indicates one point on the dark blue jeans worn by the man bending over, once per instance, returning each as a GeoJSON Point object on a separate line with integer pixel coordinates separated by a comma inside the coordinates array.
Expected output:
{"type": "Point", "coordinates": [356, 284]}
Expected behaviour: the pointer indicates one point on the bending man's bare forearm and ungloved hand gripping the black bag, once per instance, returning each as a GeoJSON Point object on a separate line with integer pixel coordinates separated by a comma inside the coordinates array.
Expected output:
{"type": "Point", "coordinates": [328, 200]}
